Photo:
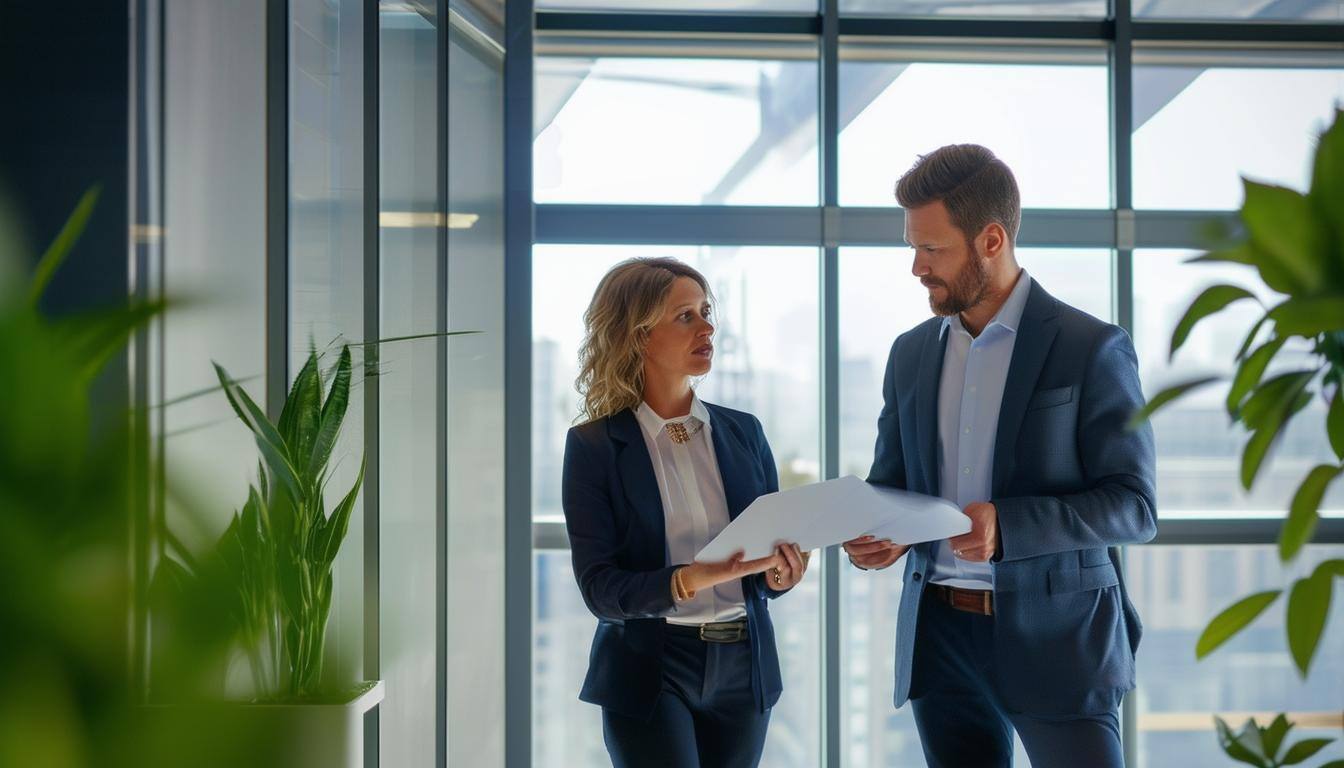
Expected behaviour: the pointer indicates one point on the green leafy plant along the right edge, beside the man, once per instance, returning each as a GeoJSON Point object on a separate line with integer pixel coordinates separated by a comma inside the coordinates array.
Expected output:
{"type": "Point", "coordinates": [1296, 244]}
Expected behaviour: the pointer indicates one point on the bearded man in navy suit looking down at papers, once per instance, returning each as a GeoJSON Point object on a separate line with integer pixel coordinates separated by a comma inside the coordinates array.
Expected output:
{"type": "Point", "coordinates": [1014, 407]}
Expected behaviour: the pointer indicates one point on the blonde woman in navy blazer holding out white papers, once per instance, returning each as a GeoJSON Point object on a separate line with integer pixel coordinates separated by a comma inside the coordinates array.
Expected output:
{"type": "Point", "coordinates": [683, 664]}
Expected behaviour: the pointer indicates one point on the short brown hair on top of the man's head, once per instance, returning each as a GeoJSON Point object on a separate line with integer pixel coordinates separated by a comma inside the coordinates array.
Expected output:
{"type": "Point", "coordinates": [976, 188]}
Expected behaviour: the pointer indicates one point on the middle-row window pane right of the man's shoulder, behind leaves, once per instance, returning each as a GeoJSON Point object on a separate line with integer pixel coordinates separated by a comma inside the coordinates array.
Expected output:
{"type": "Point", "coordinates": [1198, 451]}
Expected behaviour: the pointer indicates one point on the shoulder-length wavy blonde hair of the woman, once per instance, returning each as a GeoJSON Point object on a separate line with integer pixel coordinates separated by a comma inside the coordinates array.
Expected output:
{"type": "Point", "coordinates": [628, 303]}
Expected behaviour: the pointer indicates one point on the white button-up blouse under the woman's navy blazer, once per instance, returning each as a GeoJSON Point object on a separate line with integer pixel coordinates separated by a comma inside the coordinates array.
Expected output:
{"type": "Point", "coordinates": [694, 506]}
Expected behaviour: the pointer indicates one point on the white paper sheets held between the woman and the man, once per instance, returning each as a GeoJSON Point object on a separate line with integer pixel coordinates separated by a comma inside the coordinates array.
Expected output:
{"type": "Point", "coordinates": [835, 512]}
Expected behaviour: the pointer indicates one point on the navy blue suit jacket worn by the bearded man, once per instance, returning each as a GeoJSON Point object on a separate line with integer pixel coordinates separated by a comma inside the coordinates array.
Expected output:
{"type": "Point", "coordinates": [1070, 484]}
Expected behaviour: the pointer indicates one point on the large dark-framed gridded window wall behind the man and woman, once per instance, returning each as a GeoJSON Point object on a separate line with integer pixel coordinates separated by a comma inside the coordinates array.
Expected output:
{"type": "Point", "coordinates": [712, 135]}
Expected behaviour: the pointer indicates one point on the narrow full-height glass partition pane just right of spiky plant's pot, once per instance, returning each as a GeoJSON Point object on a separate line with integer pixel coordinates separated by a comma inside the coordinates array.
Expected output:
{"type": "Point", "coordinates": [408, 396]}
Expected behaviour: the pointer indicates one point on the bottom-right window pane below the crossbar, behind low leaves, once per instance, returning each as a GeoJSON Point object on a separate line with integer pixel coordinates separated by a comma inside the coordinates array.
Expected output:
{"type": "Point", "coordinates": [1177, 591]}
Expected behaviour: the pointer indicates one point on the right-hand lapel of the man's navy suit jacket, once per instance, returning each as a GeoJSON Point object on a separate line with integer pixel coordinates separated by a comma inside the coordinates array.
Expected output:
{"type": "Point", "coordinates": [1036, 336]}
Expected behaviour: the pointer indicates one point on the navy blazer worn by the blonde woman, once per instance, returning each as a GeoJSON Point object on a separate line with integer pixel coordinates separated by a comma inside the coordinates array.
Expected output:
{"type": "Point", "coordinates": [618, 537]}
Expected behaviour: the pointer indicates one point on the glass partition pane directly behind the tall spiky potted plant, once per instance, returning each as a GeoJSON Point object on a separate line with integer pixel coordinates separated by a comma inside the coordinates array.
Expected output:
{"type": "Point", "coordinates": [327, 258]}
